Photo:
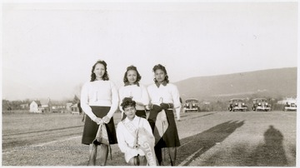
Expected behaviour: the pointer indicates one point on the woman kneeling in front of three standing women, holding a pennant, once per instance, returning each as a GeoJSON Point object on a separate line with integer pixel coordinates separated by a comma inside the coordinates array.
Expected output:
{"type": "Point", "coordinates": [135, 138]}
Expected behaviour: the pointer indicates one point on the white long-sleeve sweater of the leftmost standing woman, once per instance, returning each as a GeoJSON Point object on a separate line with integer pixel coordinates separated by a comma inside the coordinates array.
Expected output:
{"type": "Point", "coordinates": [99, 93]}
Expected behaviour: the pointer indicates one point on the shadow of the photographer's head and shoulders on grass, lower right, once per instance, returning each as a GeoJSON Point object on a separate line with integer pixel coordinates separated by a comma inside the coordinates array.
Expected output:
{"type": "Point", "coordinates": [270, 153]}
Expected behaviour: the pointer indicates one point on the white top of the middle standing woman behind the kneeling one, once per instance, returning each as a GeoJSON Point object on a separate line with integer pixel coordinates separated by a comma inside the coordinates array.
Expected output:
{"type": "Point", "coordinates": [138, 93]}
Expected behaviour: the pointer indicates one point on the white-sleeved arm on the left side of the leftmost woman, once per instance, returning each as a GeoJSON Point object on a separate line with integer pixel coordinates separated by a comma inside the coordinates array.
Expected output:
{"type": "Point", "coordinates": [84, 102]}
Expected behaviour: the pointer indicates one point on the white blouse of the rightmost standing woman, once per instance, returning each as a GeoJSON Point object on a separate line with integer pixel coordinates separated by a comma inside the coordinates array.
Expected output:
{"type": "Point", "coordinates": [164, 94]}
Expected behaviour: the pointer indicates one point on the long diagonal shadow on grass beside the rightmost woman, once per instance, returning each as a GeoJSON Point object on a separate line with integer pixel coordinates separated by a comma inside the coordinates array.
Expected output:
{"type": "Point", "coordinates": [204, 141]}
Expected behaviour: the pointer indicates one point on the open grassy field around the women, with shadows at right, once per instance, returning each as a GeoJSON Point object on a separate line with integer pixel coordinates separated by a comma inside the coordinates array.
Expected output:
{"type": "Point", "coordinates": [207, 139]}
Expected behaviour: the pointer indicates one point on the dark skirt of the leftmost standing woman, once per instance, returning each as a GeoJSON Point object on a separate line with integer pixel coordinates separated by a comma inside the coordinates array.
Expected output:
{"type": "Point", "coordinates": [90, 127]}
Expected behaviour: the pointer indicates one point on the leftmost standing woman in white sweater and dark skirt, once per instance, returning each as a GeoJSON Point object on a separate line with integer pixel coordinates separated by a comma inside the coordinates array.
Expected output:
{"type": "Point", "coordinates": [99, 100]}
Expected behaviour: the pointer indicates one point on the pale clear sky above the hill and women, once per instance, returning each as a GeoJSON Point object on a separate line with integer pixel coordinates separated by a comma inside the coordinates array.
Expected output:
{"type": "Point", "coordinates": [48, 49]}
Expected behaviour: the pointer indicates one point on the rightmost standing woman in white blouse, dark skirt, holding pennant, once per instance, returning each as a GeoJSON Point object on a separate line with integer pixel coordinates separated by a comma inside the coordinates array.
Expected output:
{"type": "Point", "coordinates": [164, 98]}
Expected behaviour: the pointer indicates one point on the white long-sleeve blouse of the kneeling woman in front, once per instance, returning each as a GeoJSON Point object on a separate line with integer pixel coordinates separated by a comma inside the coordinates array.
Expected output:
{"type": "Point", "coordinates": [126, 140]}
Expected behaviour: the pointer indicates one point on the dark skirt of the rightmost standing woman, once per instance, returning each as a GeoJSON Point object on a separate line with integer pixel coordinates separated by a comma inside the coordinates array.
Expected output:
{"type": "Point", "coordinates": [170, 137]}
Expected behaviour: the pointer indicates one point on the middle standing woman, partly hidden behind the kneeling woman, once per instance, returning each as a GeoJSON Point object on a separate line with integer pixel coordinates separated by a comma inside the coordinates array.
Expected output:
{"type": "Point", "coordinates": [132, 88]}
